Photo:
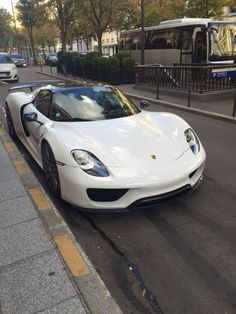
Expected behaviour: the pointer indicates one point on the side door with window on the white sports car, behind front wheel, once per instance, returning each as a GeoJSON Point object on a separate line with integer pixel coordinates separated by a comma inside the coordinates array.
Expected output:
{"type": "Point", "coordinates": [42, 107]}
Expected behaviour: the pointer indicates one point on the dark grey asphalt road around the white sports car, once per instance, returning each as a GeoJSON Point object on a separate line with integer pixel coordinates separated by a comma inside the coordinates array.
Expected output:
{"type": "Point", "coordinates": [179, 256]}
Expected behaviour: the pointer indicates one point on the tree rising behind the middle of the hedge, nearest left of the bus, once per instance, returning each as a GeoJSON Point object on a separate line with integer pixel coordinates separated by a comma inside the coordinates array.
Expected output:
{"type": "Point", "coordinates": [98, 13]}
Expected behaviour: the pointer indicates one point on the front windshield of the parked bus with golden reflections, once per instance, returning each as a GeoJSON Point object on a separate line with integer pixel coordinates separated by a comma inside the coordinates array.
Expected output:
{"type": "Point", "coordinates": [222, 41]}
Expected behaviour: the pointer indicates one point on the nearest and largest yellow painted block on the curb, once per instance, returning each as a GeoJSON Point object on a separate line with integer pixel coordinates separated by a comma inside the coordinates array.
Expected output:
{"type": "Point", "coordinates": [71, 255]}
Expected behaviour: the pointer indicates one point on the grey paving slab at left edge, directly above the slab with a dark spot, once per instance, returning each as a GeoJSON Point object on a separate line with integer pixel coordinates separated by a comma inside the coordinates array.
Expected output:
{"type": "Point", "coordinates": [23, 240]}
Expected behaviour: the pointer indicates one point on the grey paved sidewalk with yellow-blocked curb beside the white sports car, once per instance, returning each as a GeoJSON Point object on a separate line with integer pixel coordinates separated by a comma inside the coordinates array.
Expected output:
{"type": "Point", "coordinates": [42, 268]}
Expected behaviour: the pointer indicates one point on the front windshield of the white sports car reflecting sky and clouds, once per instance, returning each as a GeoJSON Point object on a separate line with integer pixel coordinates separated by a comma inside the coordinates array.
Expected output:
{"type": "Point", "coordinates": [91, 103]}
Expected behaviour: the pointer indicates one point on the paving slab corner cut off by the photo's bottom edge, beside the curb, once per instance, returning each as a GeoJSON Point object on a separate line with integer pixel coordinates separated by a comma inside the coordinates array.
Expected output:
{"type": "Point", "coordinates": [72, 306]}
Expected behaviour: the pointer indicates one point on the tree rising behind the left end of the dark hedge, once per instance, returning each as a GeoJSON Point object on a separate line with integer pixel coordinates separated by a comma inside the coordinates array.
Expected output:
{"type": "Point", "coordinates": [63, 11]}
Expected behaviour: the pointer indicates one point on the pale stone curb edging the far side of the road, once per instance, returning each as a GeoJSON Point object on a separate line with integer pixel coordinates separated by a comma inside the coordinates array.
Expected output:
{"type": "Point", "coordinates": [204, 113]}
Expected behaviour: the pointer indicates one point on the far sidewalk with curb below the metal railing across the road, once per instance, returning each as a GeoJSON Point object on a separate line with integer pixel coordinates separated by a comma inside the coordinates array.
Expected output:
{"type": "Point", "coordinates": [220, 107]}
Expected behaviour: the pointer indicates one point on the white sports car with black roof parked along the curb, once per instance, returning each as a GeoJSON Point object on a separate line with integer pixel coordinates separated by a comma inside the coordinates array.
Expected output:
{"type": "Point", "coordinates": [98, 150]}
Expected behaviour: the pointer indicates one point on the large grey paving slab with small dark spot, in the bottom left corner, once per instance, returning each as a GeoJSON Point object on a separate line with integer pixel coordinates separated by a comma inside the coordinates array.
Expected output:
{"type": "Point", "coordinates": [34, 284]}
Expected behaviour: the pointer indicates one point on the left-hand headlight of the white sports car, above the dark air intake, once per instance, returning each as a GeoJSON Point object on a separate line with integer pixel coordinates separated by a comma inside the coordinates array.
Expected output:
{"type": "Point", "coordinates": [89, 163]}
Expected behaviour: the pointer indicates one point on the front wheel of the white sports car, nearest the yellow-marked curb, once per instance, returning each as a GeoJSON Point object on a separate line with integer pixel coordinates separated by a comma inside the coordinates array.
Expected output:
{"type": "Point", "coordinates": [50, 170]}
